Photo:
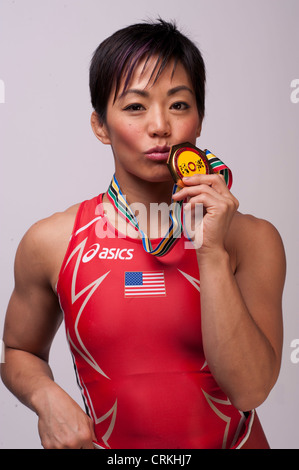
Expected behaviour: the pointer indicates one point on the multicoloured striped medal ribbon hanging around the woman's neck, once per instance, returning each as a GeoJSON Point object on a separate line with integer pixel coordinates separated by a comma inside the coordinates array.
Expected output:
{"type": "Point", "coordinates": [121, 206]}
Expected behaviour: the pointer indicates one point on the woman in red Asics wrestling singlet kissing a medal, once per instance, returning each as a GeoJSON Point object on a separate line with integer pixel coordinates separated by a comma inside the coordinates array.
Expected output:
{"type": "Point", "coordinates": [171, 350]}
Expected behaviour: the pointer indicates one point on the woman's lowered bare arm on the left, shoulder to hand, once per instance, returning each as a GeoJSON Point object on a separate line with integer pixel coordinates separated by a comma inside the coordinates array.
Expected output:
{"type": "Point", "coordinates": [33, 317]}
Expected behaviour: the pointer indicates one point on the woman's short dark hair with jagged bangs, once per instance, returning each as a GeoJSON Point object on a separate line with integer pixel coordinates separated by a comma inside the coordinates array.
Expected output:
{"type": "Point", "coordinates": [118, 55]}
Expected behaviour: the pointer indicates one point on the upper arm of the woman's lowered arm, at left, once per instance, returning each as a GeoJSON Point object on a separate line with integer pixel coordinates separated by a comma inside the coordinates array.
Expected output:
{"type": "Point", "coordinates": [33, 314]}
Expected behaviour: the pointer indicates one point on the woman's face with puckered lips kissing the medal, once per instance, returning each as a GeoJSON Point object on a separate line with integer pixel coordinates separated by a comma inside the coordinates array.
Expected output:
{"type": "Point", "coordinates": [145, 121]}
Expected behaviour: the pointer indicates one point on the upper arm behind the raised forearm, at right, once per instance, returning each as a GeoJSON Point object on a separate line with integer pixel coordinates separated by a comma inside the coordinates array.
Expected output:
{"type": "Point", "coordinates": [260, 276]}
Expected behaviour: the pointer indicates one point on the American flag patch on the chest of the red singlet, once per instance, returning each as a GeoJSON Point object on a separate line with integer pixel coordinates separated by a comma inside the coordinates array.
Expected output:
{"type": "Point", "coordinates": [149, 283]}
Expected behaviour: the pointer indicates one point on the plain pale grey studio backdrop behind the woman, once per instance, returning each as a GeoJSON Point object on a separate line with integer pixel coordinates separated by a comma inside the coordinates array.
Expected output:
{"type": "Point", "coordinates": [50, 159]}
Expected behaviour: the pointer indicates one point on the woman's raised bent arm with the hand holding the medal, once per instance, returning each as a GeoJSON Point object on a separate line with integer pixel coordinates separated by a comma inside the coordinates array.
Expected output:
{"type": "Point", "coordinates": [241, 305]}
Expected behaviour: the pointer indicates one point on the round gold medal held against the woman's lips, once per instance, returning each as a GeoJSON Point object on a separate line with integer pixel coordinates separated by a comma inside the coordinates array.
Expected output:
{"type": "Point", "coordinates": [187, 160]}
